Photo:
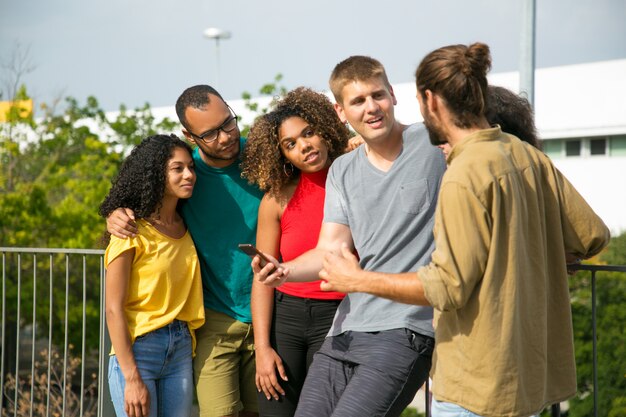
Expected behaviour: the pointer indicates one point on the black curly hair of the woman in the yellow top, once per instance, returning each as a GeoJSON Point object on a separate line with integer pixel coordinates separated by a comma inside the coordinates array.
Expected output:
{"type": "Point", "coordinates": [140, 183]}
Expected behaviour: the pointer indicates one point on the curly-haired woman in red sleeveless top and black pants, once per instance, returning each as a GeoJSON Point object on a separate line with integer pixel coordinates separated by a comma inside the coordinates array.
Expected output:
{"type": "Point", "coordinates": [288, 153]}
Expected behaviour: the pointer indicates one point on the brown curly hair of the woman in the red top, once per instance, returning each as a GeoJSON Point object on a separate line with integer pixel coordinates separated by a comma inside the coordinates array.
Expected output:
{"type": "Point", "coordinates": [263, 161]}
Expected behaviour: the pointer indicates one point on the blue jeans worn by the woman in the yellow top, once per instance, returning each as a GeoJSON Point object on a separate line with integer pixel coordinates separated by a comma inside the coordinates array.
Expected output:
{"type": "Point", "coordinates": [163, 358]}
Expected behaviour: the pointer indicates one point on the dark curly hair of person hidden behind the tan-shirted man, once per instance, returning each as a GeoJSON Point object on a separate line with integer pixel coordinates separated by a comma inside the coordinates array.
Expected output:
{"type": "Point", "coordinates": [513, 113]}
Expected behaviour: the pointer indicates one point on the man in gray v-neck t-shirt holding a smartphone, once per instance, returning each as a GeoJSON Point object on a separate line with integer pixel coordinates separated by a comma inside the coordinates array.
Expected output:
{"type": "Point", "coordinates": [380, 200]}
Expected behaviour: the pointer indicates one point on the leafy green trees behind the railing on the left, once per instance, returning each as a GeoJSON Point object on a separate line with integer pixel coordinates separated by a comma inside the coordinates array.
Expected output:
{"type": "Point", "coordinates": [54, 174]}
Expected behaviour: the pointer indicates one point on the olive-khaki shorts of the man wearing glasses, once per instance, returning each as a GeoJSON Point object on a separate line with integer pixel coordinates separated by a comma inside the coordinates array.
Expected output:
{"type": "Point", "coordinates": [224, 367]}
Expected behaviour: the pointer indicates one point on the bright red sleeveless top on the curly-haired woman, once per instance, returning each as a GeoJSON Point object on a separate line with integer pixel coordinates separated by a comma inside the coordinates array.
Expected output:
{"type": "Point", "coordinates": [300, 228]}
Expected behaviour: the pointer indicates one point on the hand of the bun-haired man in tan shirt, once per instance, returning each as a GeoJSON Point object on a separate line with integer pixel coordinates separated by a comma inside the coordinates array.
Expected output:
{"type": "Point", "coordinates": [341, 272]}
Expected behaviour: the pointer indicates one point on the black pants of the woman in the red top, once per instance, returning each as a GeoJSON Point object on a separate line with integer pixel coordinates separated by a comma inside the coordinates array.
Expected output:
{"type": "Point", "coordinates": [299, 327]}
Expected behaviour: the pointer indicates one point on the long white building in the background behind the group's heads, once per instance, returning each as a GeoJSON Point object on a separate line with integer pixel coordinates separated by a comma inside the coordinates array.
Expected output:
{"type": "Point", "coordinates": [581, 117]}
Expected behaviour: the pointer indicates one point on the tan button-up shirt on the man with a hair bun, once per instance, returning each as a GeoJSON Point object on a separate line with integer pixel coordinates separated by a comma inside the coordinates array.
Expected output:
{"type": "Point", "coordinates": [498, 282]}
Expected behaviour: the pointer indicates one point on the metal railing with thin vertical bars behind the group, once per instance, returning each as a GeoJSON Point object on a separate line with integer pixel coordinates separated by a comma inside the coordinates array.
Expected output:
{"type": "Point", "coordinates": [22, 376]}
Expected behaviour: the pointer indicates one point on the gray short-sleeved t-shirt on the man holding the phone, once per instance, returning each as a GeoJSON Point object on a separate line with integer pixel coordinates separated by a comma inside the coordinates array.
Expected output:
{"type": "Point", "coordinates": [391, 217]}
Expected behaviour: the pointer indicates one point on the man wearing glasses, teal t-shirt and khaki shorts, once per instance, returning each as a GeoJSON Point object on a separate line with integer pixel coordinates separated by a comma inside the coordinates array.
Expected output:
{"type": "Point", "coordinates": [221, 214]}
